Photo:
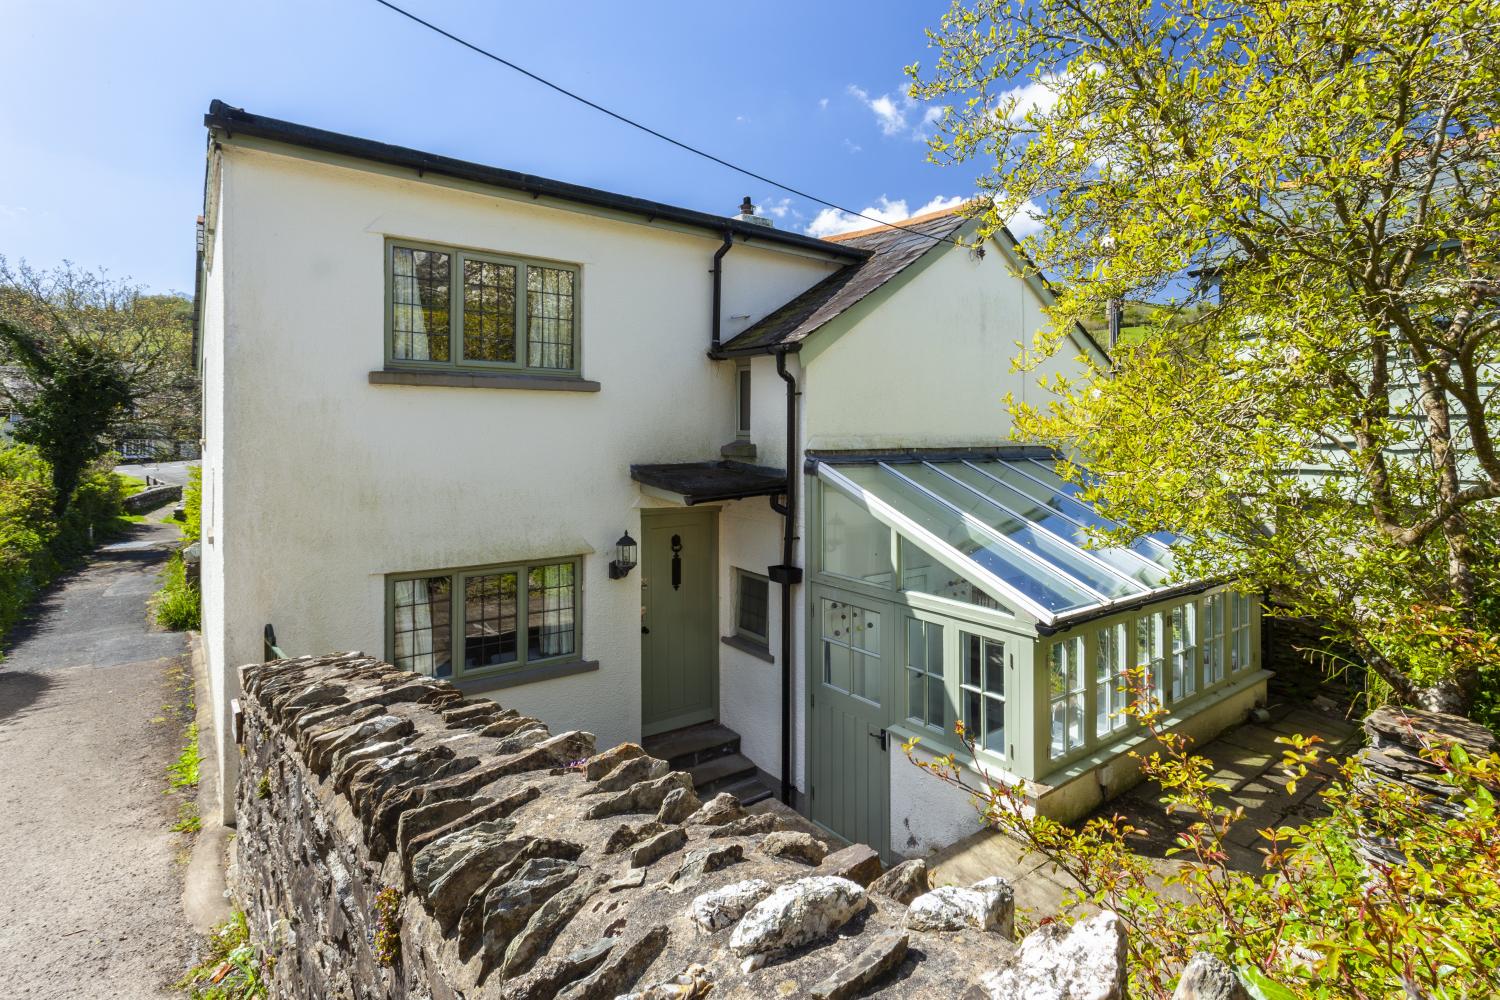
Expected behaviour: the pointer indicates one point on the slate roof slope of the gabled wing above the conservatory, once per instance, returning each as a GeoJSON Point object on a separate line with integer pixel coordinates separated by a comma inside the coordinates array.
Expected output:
{"type": "Point", "coordinates": [892, 251]}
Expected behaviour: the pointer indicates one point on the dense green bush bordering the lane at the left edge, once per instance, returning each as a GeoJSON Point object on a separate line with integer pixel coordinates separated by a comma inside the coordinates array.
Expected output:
{"type": "Point", "coordinates": [35, 546]}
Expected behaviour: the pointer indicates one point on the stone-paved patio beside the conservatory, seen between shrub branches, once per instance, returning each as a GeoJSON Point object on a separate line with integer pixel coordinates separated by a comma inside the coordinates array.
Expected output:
{"type": "Point", "coordinates": [1247, 761]}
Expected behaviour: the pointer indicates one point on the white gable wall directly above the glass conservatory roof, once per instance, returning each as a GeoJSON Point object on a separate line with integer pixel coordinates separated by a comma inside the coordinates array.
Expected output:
{"type": "Point", "coordinates": [932, 364]}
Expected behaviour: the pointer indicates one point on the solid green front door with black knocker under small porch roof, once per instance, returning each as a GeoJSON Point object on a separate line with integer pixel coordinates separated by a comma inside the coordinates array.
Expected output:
{"type": "Point", "coordinates": [679, 636]}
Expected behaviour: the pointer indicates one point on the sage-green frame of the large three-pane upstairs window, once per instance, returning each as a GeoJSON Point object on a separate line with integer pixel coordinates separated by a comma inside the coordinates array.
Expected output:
{"type": "Point", "coordinates": [457, 361]}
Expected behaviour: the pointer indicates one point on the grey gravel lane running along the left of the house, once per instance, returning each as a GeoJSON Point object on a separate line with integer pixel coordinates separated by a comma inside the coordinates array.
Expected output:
{"type": "Point", "coordinates": [91, 714]}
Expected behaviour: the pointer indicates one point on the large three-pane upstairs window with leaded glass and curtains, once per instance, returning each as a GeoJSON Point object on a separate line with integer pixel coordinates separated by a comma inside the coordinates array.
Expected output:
{"type": "Point", "coordinates": [452, 308]}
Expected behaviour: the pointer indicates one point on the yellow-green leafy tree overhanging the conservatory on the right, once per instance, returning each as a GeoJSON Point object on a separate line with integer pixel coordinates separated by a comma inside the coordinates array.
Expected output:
{"type": "Point", "coordinates": [1321, 425]}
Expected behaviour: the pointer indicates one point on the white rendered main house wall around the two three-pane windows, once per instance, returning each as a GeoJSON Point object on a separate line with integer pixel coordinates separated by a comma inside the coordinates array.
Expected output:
{"type": "Point", "coordinates": [331, 484]}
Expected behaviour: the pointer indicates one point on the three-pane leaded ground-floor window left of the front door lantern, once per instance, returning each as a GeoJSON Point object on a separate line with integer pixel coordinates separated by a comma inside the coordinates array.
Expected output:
{"type": "Point", "coordinates": [493, 618]}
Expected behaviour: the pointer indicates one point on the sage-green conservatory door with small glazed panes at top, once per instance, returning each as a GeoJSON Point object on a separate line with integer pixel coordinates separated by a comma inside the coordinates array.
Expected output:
{"type": "Point", "coordinates": [851, 767]}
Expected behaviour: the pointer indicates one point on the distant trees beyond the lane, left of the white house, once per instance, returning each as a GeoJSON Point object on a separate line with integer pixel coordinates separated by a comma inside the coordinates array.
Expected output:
{"type": "Point", "coordinates": [97, 361]}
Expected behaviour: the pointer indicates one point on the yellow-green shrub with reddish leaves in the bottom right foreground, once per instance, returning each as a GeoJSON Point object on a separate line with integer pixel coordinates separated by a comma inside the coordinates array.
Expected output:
{"type": "Point", "coordinates": [1382, 897]}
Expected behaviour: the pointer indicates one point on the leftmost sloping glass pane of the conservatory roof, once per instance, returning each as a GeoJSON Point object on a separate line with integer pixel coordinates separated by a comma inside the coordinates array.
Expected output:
{"type": "Point", "coordinates": [1049, 590]}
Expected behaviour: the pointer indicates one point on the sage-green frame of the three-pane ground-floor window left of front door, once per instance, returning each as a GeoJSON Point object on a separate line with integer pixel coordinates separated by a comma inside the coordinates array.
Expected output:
{"type": "Point", "coordinates": [457, 621]}
